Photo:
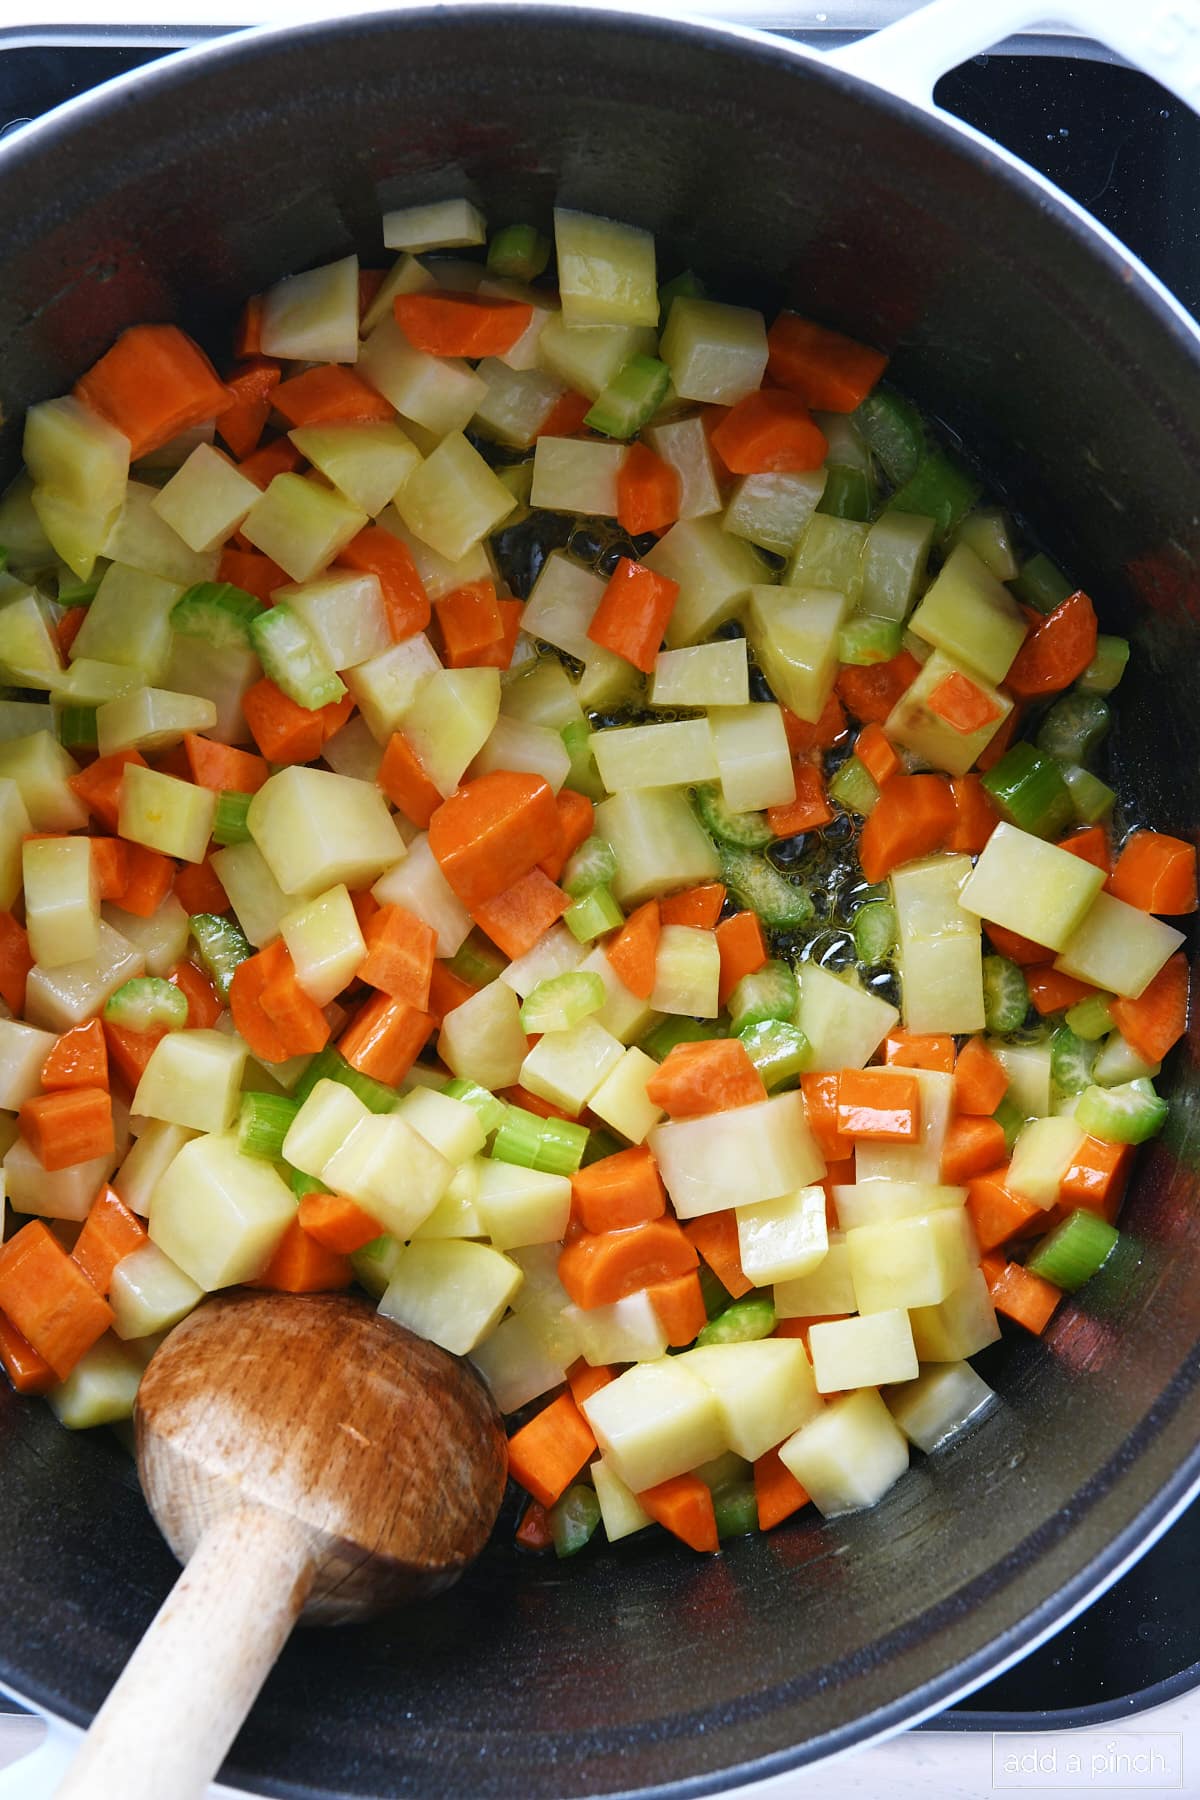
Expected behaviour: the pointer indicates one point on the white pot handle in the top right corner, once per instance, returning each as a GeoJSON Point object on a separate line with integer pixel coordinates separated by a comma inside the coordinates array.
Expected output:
{"type": "Point", "coordinates": [909, 57]}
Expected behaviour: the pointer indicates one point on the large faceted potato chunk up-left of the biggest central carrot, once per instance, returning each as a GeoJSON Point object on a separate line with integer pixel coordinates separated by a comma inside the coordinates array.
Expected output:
{"type": "Point", "coordinates": [319, 831]}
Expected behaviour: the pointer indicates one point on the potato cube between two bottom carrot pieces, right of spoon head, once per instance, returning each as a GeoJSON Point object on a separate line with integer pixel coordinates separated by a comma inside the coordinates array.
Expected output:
{"type": "Point", "coordinates": [656, 1421]}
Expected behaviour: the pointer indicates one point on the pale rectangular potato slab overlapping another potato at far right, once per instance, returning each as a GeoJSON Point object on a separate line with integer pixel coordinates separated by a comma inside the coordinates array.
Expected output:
{"type": "Point", "coordinates": [1035, 888]}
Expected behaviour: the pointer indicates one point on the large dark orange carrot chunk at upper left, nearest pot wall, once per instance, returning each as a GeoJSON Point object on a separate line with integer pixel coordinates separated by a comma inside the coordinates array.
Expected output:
{"type": "Point", "coordinates": [152, 386]}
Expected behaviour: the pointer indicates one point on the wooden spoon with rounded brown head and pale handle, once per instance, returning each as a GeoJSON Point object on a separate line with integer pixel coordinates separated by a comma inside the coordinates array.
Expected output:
{"type": "Point", "coordinates": [301, 1457]}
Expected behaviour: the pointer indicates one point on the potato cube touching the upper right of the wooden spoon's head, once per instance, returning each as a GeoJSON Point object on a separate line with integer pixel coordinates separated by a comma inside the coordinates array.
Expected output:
{"type": "Point", "coordinates": [451, 1291]}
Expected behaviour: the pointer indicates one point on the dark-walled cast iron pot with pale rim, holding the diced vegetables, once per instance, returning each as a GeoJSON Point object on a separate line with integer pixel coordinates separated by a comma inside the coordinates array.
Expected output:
{"type": "Point", "coordinates": [1079, 386]}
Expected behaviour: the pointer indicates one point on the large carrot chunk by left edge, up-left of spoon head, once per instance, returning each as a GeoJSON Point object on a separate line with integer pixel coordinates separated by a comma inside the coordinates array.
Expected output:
{"type": "Point", "coordinates": [49, 1299]}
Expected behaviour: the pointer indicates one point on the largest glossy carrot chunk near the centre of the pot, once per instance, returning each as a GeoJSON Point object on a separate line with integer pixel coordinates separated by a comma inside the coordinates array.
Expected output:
{"type": "Point", "coordinates": [492, 832]}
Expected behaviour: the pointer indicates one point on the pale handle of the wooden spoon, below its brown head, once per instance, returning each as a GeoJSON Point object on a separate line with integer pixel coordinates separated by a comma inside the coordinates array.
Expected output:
{"type": "Point", "coordinates": [193, 1678]}
